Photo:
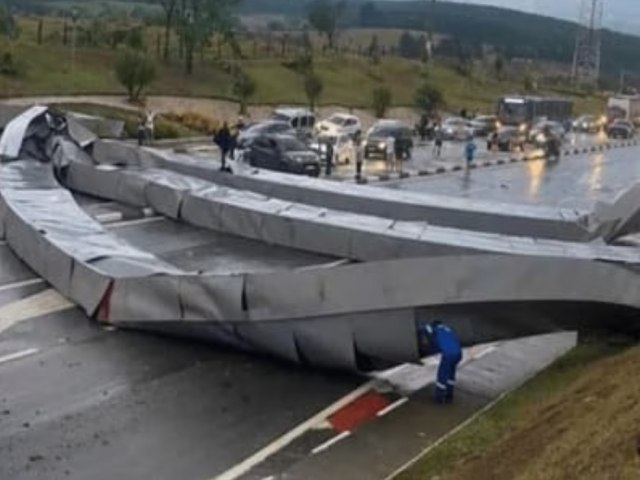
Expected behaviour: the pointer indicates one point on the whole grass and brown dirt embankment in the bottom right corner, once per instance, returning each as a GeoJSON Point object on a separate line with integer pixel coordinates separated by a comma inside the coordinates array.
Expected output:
{"type": "Point", "coordinates": [578, 420]}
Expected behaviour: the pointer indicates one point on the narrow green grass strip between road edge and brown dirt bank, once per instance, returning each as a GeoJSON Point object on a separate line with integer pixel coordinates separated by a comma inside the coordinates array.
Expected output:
{"type": "Point", "coordinates": [510, 414]}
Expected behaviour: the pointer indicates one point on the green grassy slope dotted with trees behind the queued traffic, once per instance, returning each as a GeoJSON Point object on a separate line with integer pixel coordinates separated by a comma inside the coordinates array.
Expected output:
{"type": "Point", "coordinates": [348, 80]}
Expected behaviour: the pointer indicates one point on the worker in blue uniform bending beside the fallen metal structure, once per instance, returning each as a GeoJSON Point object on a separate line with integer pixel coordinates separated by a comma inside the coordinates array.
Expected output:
{"type": "Point", "coordinates": [443, 340]}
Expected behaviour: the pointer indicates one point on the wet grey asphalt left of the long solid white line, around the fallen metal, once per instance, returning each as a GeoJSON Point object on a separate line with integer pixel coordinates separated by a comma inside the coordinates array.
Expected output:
{"type": "Point", "coordinates": [78, 401]}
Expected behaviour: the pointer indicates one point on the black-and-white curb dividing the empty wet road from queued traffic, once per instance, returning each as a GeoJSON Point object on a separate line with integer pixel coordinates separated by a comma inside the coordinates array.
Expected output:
{"type": "Point", "coordinates": [427, 172]}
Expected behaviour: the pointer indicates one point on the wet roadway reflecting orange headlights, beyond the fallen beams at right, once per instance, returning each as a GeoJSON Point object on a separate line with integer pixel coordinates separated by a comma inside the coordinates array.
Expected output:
{"type": "Point", "coordinates": [573, 182]}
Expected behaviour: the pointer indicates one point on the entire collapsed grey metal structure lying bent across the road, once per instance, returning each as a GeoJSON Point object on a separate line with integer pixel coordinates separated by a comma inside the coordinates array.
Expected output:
{"type": "Point", "coordinates": [383, 258]}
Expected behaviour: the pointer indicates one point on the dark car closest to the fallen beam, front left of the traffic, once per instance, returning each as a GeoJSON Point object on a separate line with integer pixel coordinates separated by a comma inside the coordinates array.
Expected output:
{"type": "Point", "coordinates": [282, 153]}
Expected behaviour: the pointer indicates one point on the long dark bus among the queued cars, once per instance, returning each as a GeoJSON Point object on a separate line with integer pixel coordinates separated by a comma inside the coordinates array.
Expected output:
{"type": "Point", "coordinates": [524, 111]}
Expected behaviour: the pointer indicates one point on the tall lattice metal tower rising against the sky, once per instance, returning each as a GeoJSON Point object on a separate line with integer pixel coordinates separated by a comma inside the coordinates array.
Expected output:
{"type": "Point", "coordinates": [586, 59]}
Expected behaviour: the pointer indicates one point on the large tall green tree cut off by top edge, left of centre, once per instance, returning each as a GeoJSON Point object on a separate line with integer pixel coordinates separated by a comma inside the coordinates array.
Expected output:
{"type": "Point", "coordinates": [198, 20]}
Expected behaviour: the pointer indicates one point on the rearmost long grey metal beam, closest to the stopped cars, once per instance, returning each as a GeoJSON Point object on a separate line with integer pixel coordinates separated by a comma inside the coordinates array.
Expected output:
{"type": "Point", "coordinates": [530, 220]}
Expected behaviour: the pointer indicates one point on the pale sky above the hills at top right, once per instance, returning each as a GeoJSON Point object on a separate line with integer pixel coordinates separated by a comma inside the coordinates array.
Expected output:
{"type": "Point", "coordinates": [623, 15]}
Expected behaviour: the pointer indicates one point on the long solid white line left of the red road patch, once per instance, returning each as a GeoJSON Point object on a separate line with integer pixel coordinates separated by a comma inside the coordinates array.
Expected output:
{"type": "Point", "coordinates": [281, 442]}
